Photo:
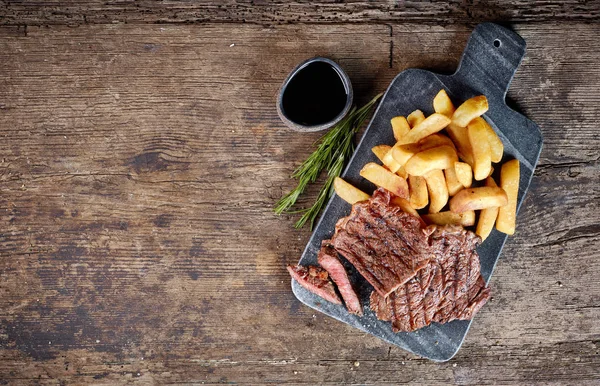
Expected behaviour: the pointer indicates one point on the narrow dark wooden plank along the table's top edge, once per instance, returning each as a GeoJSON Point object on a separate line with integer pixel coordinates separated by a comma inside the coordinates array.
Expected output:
{"type": "Point", "coordinates": [276, 12]}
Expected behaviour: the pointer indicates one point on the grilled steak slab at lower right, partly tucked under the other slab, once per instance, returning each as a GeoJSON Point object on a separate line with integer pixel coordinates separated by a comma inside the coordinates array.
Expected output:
{"type": "Point", "coordinates": [449, 287]}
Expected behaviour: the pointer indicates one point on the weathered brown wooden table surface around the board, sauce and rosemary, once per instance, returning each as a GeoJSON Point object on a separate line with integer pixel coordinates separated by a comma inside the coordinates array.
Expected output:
{"type": "Point", "coordinates": [141, 155]}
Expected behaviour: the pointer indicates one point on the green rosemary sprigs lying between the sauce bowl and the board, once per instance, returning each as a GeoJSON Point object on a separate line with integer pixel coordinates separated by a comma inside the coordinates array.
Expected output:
{"type": "Point", "coordinates": [333, 150]}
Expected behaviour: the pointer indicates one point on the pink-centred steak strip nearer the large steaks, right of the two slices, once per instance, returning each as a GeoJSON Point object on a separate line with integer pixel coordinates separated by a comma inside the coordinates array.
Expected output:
{"type": "Point", "coordinates": [328, 259]}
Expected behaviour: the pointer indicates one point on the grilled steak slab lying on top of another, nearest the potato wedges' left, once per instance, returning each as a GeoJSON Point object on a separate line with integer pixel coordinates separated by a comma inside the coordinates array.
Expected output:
{"type": "Point", "coordinates": [387, 246]}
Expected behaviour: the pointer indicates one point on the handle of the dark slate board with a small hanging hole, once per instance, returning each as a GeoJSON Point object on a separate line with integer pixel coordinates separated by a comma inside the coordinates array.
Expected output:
{"type": "Point", "coordinates": [491, 58]}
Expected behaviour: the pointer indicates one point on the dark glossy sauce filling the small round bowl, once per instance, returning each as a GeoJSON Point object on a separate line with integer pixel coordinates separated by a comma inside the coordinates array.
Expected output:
{"type": "Point", "coordinates": [315, 95]}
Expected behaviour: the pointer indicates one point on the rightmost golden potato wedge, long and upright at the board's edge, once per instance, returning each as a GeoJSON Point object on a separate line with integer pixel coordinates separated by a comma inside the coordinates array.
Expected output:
{"type": "Point", "coordinates": [509, 181]}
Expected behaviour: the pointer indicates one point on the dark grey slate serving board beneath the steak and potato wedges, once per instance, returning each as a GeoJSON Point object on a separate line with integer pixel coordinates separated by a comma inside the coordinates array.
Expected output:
{"type": "Point", "coordinates": [488, 64]}
